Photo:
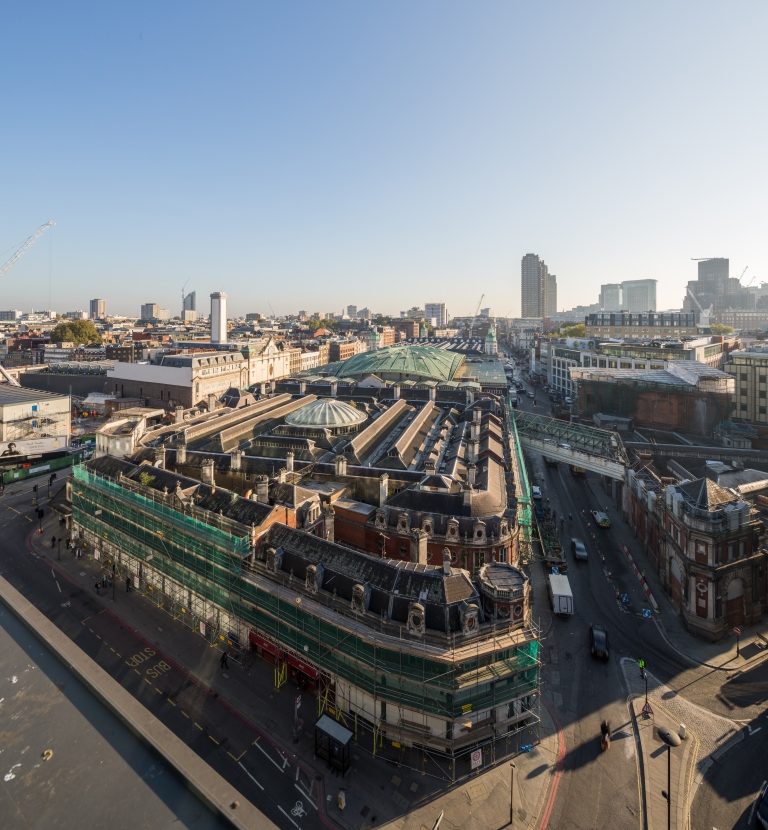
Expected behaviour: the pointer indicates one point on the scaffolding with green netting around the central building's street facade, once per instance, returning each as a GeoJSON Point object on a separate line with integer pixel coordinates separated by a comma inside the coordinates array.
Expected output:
{"type": "Point", "coordinates": [200, 567]}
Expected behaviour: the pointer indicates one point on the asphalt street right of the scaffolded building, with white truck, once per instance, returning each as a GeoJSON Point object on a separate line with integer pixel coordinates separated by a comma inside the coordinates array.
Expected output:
{"type": "Point", "coordinates": [606, 591]}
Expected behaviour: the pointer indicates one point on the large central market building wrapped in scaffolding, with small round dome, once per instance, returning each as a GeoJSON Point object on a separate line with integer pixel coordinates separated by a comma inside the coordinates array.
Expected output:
{"type": "Point", "coordinates": [422, 661]}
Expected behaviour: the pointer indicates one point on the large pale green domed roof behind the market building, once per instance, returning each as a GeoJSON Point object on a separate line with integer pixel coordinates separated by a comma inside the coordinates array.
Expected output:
{"type": "Point", "coordinates": [403, 362]}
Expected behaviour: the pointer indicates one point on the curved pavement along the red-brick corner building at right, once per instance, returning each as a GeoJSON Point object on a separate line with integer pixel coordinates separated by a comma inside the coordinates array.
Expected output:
{"type": "Point", "coordinates": [753, 645]}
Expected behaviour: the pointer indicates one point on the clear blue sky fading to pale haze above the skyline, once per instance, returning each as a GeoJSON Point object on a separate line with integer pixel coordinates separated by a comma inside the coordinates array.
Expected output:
{"type": "Point", "coordinates": [311, 155]}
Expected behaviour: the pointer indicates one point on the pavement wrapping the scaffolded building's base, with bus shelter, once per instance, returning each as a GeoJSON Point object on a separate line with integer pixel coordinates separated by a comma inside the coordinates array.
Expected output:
{"type": "Point", "coordinates": [378, 791]}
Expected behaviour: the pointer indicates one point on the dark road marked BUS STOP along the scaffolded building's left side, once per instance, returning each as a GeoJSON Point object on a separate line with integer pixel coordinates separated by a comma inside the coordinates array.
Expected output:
{"type": "Point", "coordinates": [264, 772]}
